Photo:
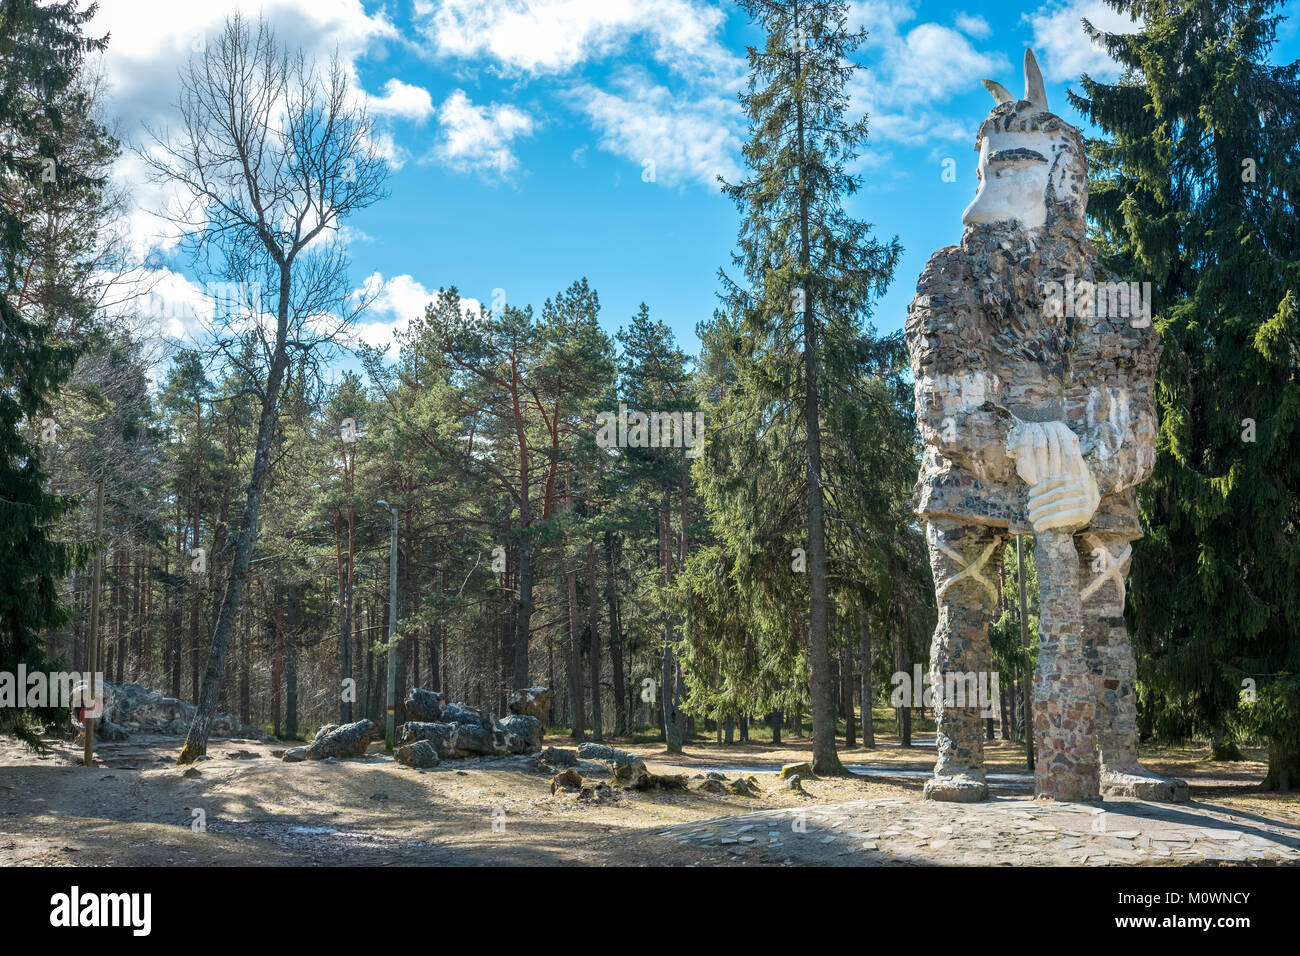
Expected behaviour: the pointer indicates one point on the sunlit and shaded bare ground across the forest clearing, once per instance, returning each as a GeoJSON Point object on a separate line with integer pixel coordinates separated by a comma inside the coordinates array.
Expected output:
{"type": "Point", "coordinates": [136, 807]}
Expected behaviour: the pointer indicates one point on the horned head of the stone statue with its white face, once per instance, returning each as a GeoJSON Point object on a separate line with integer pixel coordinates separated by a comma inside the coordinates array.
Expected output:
{"type": "Point", "coordinates": [1032, 163]}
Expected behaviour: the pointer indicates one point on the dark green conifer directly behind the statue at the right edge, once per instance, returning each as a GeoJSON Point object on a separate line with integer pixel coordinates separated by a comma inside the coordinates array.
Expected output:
{"type": "Point", "coordinates": [1197, 192]}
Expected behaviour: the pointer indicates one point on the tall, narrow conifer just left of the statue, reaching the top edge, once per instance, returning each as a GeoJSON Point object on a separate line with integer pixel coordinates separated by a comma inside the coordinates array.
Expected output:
{"type": "Point", "coordinates": [809, 271]}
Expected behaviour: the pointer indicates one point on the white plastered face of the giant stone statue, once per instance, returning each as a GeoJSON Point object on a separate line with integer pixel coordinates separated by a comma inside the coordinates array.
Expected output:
{"type": "Point", "coordinates": [1013, 179]}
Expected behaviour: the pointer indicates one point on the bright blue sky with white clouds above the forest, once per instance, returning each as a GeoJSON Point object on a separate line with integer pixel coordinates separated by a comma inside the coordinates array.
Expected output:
{"type": "Point", "coordinates": [538, 141]}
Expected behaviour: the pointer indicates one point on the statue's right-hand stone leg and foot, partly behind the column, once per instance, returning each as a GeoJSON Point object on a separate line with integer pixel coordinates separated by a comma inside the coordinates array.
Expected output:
{"type": "Point", "coordinates": [1103, 572]}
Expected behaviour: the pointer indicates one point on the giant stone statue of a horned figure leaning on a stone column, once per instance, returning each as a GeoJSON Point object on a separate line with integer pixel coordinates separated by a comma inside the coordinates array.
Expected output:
{"type": "Point", "coordinates": [1034, 397]}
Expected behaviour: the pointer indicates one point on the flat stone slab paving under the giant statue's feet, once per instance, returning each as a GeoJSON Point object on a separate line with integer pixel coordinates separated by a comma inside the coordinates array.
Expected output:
{"type": "Point", "coordinates": [1003, 830]}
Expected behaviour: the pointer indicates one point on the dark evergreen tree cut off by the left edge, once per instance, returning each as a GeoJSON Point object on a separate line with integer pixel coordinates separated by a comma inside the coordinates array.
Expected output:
{"type": "Point", "coordinates": [42, 51]}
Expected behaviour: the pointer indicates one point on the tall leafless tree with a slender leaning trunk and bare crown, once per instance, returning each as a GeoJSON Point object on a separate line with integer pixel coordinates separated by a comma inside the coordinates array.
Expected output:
{"type": "Point", "coordinates": [272, 155]}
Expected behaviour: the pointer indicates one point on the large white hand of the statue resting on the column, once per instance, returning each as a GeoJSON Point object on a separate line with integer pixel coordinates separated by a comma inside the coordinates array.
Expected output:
{"type": "Point", "coordinates": [1063, 491]}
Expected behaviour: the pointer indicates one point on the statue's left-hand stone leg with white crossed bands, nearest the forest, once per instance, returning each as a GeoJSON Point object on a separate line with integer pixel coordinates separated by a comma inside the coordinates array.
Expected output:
{"type": "Point", "coordinates": [963, 559]}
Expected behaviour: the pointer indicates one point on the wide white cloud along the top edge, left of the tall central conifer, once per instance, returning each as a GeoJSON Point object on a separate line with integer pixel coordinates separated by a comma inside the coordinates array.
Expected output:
{"type": "Point", "coordinates": [556, 36]}
